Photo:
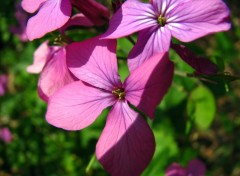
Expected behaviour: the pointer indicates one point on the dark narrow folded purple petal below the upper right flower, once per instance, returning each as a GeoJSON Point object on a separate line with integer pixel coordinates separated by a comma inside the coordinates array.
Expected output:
{"type": "Point", "coordinates": [202, 65]}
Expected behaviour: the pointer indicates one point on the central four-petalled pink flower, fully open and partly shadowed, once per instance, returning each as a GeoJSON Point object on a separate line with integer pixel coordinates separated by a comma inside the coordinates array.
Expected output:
{"type": "Point", "coordinates": [127, 144]}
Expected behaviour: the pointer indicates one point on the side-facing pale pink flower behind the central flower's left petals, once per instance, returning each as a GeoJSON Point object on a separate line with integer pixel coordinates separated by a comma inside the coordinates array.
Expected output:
{"type": "Point", "coordinates": [50, 62]}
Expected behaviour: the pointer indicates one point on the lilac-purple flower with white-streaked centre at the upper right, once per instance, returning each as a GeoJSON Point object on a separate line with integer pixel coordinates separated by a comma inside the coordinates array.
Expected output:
{"type": "Point", "coordinates": [158, 21]}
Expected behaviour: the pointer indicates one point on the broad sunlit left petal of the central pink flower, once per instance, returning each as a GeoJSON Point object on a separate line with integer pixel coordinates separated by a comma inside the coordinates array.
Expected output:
{"type": "Point", "coordinates": [77, 105]}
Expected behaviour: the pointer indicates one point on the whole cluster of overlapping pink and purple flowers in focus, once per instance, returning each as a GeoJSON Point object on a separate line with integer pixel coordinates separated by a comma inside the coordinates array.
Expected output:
{"type": "Point", "coordinates": [79, 79]}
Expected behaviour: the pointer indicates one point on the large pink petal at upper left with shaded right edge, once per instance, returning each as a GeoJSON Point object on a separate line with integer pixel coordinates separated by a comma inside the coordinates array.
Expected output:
{"type": "Point", "coordinates": [52, 15]}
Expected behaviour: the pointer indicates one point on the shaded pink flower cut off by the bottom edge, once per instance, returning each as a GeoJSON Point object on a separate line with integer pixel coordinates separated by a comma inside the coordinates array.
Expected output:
{"type": "Point", "coordinates": [194, 168]}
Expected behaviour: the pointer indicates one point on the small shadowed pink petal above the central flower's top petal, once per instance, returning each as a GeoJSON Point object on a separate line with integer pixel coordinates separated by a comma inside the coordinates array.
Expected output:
{"type": "Point", "coordinates": [77, 20]}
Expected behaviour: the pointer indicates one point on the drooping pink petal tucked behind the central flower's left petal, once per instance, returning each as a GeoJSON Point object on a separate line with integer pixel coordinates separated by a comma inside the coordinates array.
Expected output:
{"type": "Point", "coordinates": [54, 75]}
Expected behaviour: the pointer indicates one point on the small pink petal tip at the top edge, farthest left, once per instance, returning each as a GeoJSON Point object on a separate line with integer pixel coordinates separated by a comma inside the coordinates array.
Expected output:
{"type": "Point", "coordinates": [31, 6]}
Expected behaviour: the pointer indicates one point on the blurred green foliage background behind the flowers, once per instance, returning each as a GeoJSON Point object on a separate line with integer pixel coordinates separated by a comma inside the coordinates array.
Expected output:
{"type": "Point", "coordinates": [198, 118]}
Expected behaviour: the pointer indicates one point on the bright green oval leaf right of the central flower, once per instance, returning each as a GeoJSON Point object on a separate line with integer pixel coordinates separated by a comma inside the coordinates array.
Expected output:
{"type": "Point", "coordinates": [201, 107]}
